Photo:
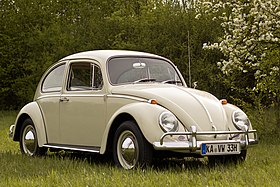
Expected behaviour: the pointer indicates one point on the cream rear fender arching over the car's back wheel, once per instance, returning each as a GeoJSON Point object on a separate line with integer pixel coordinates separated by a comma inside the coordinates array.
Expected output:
{"type": "Point", "coordinates": [32, 111]}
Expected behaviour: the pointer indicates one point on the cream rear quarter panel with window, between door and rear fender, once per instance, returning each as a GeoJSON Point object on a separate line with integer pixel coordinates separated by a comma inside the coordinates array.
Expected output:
{"type": "Point", "coordinates": [49, 101]}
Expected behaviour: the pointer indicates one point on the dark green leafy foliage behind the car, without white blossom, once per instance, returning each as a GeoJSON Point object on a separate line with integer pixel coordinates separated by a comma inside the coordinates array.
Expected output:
{"type": "Point", "coordinates": [36, 33]}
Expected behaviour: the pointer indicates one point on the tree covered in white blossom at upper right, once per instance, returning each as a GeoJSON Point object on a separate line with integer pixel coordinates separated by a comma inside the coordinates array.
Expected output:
{"type": "Point", "coordinates": [251, 41]}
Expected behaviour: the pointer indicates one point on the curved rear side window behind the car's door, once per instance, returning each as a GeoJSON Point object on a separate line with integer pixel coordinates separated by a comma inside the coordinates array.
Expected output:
{"type": "Point", "coordinates": [53, 81]}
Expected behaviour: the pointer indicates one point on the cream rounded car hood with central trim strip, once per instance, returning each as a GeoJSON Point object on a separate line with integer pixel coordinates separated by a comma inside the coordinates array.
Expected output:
{"type": "Point", "coordinates": [192, 107]}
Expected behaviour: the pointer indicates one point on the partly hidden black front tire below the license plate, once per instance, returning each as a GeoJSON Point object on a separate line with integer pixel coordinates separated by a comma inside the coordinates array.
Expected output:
{"type": "Point", "coordinates": [235, 159]}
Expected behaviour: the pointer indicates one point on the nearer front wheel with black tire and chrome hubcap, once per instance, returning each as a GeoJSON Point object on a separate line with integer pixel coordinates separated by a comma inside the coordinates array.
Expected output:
{"type": "Point", "coordinates": [138, 152]}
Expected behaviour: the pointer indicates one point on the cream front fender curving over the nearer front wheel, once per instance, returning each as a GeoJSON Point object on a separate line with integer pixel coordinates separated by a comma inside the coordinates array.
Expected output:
{"type": "Point", "coordinates": [146, 116]}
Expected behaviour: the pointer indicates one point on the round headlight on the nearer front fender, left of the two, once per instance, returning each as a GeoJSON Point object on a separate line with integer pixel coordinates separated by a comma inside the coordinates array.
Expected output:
{"type": "Point", "coordinates": [168, 122]}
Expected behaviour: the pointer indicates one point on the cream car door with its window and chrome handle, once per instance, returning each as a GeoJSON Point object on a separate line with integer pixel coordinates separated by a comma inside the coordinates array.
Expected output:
{"type": "Point", "coordinates": [82, 105]}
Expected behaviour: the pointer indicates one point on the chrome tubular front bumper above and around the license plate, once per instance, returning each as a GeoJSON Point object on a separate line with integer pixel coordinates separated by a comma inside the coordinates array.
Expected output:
{"type": "Point", "coordinates": [195, 146]}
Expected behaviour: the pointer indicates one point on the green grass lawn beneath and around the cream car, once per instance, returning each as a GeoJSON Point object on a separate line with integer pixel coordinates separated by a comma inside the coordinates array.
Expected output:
{"type": "Point", "coordinates": [64, 169]}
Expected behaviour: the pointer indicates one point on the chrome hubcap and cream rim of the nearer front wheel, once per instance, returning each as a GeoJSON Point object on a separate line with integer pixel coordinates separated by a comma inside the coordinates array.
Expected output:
{"type": "Point", "coordinates": [127, 149]}
